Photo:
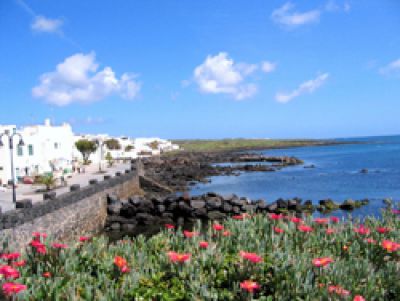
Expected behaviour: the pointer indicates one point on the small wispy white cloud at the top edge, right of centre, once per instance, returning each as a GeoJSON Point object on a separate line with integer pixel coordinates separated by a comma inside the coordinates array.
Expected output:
{"type": "Point", "coordinates": [286, 16]}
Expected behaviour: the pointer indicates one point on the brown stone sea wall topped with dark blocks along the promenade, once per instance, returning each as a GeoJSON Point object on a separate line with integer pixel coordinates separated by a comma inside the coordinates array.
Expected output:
{"type": "Point", "coordinates": [81, 211]}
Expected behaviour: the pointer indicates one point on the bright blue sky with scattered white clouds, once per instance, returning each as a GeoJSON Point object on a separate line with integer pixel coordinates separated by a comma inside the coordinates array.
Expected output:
{"type": "Point", "coordinates": [203, 69]}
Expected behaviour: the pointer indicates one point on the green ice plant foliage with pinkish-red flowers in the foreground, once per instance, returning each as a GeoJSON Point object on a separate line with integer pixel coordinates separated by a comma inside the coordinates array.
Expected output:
{"type": "Point", "coordinates": [334, 261]}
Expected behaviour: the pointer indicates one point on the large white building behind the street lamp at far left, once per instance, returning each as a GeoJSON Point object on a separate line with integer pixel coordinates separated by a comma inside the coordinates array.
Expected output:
{"type": "Point", "coordinates": [46, 148]}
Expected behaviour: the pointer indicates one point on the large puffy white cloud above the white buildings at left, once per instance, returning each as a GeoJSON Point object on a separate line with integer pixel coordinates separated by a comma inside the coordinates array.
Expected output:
{"type": "Point", "coordinates": [76, 79]}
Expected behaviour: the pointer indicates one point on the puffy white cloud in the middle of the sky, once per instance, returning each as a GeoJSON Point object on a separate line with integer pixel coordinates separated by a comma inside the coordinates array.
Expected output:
{"type": "Point", "coordinates": [220, 74]}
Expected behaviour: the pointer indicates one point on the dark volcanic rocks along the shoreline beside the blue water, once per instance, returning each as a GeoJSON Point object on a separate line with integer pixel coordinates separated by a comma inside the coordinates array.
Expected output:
{"type": "Point", "coordinates": [163, 176]}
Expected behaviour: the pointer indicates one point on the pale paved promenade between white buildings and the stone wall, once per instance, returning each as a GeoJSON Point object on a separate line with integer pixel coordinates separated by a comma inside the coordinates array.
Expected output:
{"type": "Point", "coordinates": [28, 191]}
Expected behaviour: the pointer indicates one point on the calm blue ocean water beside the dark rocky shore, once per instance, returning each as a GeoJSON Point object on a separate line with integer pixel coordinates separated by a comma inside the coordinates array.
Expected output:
{"type": "Point", "coordinates": [336, 175]}
